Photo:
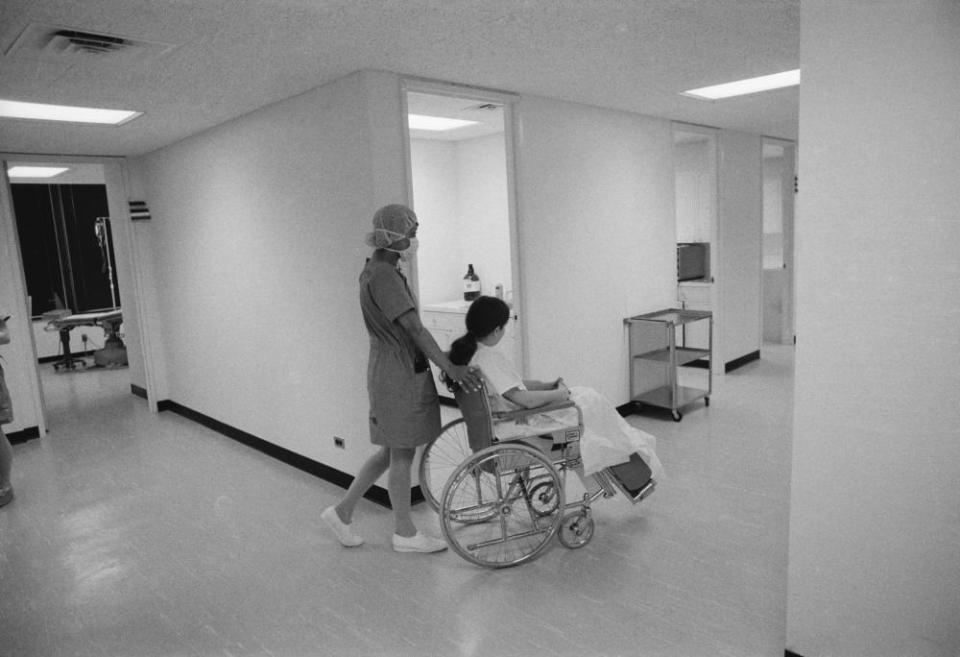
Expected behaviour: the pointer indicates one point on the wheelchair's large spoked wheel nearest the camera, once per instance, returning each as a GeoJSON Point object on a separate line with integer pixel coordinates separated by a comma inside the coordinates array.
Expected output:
{"type": "Point", "coordinates": [492, 510]}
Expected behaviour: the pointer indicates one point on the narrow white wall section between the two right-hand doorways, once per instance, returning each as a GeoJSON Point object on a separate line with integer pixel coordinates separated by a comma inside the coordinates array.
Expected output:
{"type": "Point", "coordinates": [739, 237]}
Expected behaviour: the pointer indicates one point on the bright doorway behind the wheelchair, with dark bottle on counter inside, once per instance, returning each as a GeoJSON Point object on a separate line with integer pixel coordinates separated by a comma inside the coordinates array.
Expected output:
{"type": "Point", "coordinates": [461, 187]}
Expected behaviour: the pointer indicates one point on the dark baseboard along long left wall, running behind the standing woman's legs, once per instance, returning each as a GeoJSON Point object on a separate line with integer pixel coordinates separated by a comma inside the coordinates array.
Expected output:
{"type": "Point", "coordinates": [325, 472]}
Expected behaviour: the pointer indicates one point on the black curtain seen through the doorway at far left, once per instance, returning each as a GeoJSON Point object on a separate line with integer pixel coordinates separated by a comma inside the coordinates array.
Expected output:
{"type": "Point", "coordinates": [65, 259]}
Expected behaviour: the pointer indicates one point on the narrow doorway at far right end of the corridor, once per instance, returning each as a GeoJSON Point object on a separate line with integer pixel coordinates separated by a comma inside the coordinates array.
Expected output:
{"type": "Point", "coordinates": [778, 213]}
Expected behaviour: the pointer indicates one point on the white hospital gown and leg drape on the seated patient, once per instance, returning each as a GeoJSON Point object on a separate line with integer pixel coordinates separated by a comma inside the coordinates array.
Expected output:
{"type": "Point", "coordinates": [607, 438]}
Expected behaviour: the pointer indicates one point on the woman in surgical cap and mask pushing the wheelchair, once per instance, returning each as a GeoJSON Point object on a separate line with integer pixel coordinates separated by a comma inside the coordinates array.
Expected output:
{"type": "Point", "coordinates": [404, 406]}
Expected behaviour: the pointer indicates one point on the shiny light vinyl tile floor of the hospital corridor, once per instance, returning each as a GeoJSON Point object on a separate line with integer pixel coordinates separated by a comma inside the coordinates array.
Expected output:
{"type": "Point", "coordinates": [140, 534]}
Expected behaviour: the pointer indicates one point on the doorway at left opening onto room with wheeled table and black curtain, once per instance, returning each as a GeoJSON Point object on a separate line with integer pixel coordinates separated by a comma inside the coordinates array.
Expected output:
{"type": "Point", "coordinates": [67, 243]}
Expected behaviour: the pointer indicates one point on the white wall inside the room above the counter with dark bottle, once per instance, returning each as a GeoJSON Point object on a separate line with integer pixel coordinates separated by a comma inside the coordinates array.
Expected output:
{"type": "Point", "coordinates": [460, 196]}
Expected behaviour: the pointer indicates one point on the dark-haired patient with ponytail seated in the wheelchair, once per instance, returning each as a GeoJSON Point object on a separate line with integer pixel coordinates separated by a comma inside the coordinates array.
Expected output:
{"type": "Point", "coordinates": [607, 440]}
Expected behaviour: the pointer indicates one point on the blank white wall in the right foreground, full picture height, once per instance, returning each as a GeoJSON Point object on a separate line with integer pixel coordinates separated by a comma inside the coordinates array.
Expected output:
{"type": "Point", "coordinates": [875, 510]}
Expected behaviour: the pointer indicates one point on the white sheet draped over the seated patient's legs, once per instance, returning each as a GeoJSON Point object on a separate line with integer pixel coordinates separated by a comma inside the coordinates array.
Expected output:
{"type": "Point", "coordinates": [607, 438]}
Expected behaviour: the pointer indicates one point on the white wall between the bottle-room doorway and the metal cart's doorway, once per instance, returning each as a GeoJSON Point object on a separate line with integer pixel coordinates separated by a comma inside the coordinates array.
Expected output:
{"type": "Point", "coordinates": [596, 231]}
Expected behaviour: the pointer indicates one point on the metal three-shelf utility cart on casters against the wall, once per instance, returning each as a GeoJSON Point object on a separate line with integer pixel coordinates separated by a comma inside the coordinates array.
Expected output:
{"type": "Point", "coordinates": [660, 343]}
